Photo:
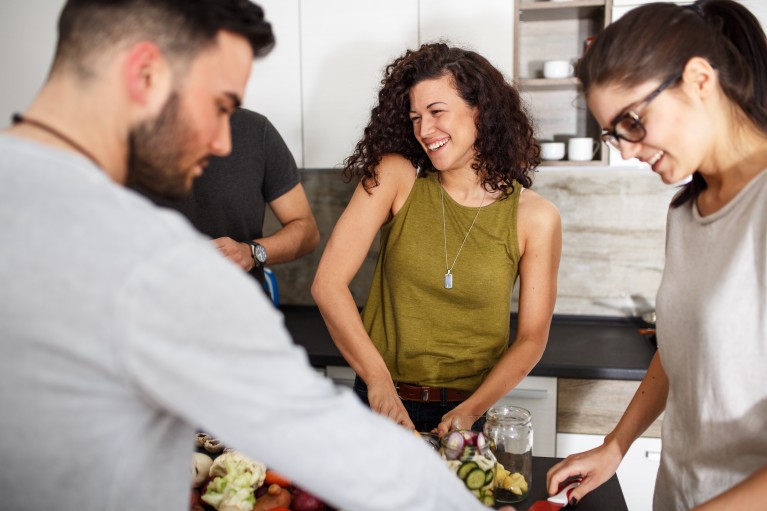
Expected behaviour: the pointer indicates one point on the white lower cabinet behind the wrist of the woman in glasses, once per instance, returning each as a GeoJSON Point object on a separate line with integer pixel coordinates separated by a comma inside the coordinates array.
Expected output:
{"type": "Point", "coordinates": [636, 472]}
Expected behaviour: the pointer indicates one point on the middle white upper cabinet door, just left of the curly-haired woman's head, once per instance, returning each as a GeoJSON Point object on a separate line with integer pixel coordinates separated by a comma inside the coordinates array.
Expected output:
{"type": "Point", "coordinates": [345, 45]}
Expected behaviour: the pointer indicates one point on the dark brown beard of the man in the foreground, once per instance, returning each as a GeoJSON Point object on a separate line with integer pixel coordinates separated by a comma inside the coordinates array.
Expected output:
{"type": "Point", "coordinates": [156, 150]}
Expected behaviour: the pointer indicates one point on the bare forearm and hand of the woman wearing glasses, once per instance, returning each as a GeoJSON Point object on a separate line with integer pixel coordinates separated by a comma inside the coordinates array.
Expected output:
{"type": "Point", "coordinates": [599, 464]}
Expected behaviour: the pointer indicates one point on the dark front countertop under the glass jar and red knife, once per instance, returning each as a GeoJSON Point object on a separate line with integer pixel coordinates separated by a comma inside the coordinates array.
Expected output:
{"type": "Point", "coordinates": [608, 497]}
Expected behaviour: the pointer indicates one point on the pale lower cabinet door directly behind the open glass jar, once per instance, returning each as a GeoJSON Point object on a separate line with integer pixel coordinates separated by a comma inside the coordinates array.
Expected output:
{"type": "Point", "coordinates": [538, 395]}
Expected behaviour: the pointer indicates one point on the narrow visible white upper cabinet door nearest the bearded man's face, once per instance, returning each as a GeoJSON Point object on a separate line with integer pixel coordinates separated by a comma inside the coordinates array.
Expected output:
{"type": "Point", "coordinates": [274, 87]}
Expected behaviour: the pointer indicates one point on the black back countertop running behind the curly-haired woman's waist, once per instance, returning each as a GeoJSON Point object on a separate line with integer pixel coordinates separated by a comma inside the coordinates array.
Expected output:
{"type": "Point", "coordinates": [579, 346]}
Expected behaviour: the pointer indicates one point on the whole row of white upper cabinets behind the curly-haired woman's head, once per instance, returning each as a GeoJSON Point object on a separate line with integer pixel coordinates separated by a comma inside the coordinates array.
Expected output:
{"type": "Point", "coordinates": [321, 81]}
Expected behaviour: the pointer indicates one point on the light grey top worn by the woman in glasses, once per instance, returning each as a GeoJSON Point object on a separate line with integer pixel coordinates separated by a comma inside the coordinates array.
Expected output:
{"type": "Point", "coordinates": [712, 339]}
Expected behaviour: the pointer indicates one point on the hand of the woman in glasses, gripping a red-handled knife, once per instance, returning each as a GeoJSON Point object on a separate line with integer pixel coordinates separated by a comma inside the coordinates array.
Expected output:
{"type": "Point", "coordinates": [595, 466]}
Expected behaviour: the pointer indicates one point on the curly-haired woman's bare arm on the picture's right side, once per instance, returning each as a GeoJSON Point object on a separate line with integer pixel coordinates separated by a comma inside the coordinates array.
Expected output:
{"type": "Point", "coordinates": [539, 231]}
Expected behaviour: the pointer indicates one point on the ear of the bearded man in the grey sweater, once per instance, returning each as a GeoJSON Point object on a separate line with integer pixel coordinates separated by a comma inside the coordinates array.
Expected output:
{"type": "Point", "coordinates": [147, 76]}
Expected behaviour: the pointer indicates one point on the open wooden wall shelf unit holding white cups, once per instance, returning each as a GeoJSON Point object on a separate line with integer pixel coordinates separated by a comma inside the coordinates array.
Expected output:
{"type": "Point", "coordinates": [552, 30]}
